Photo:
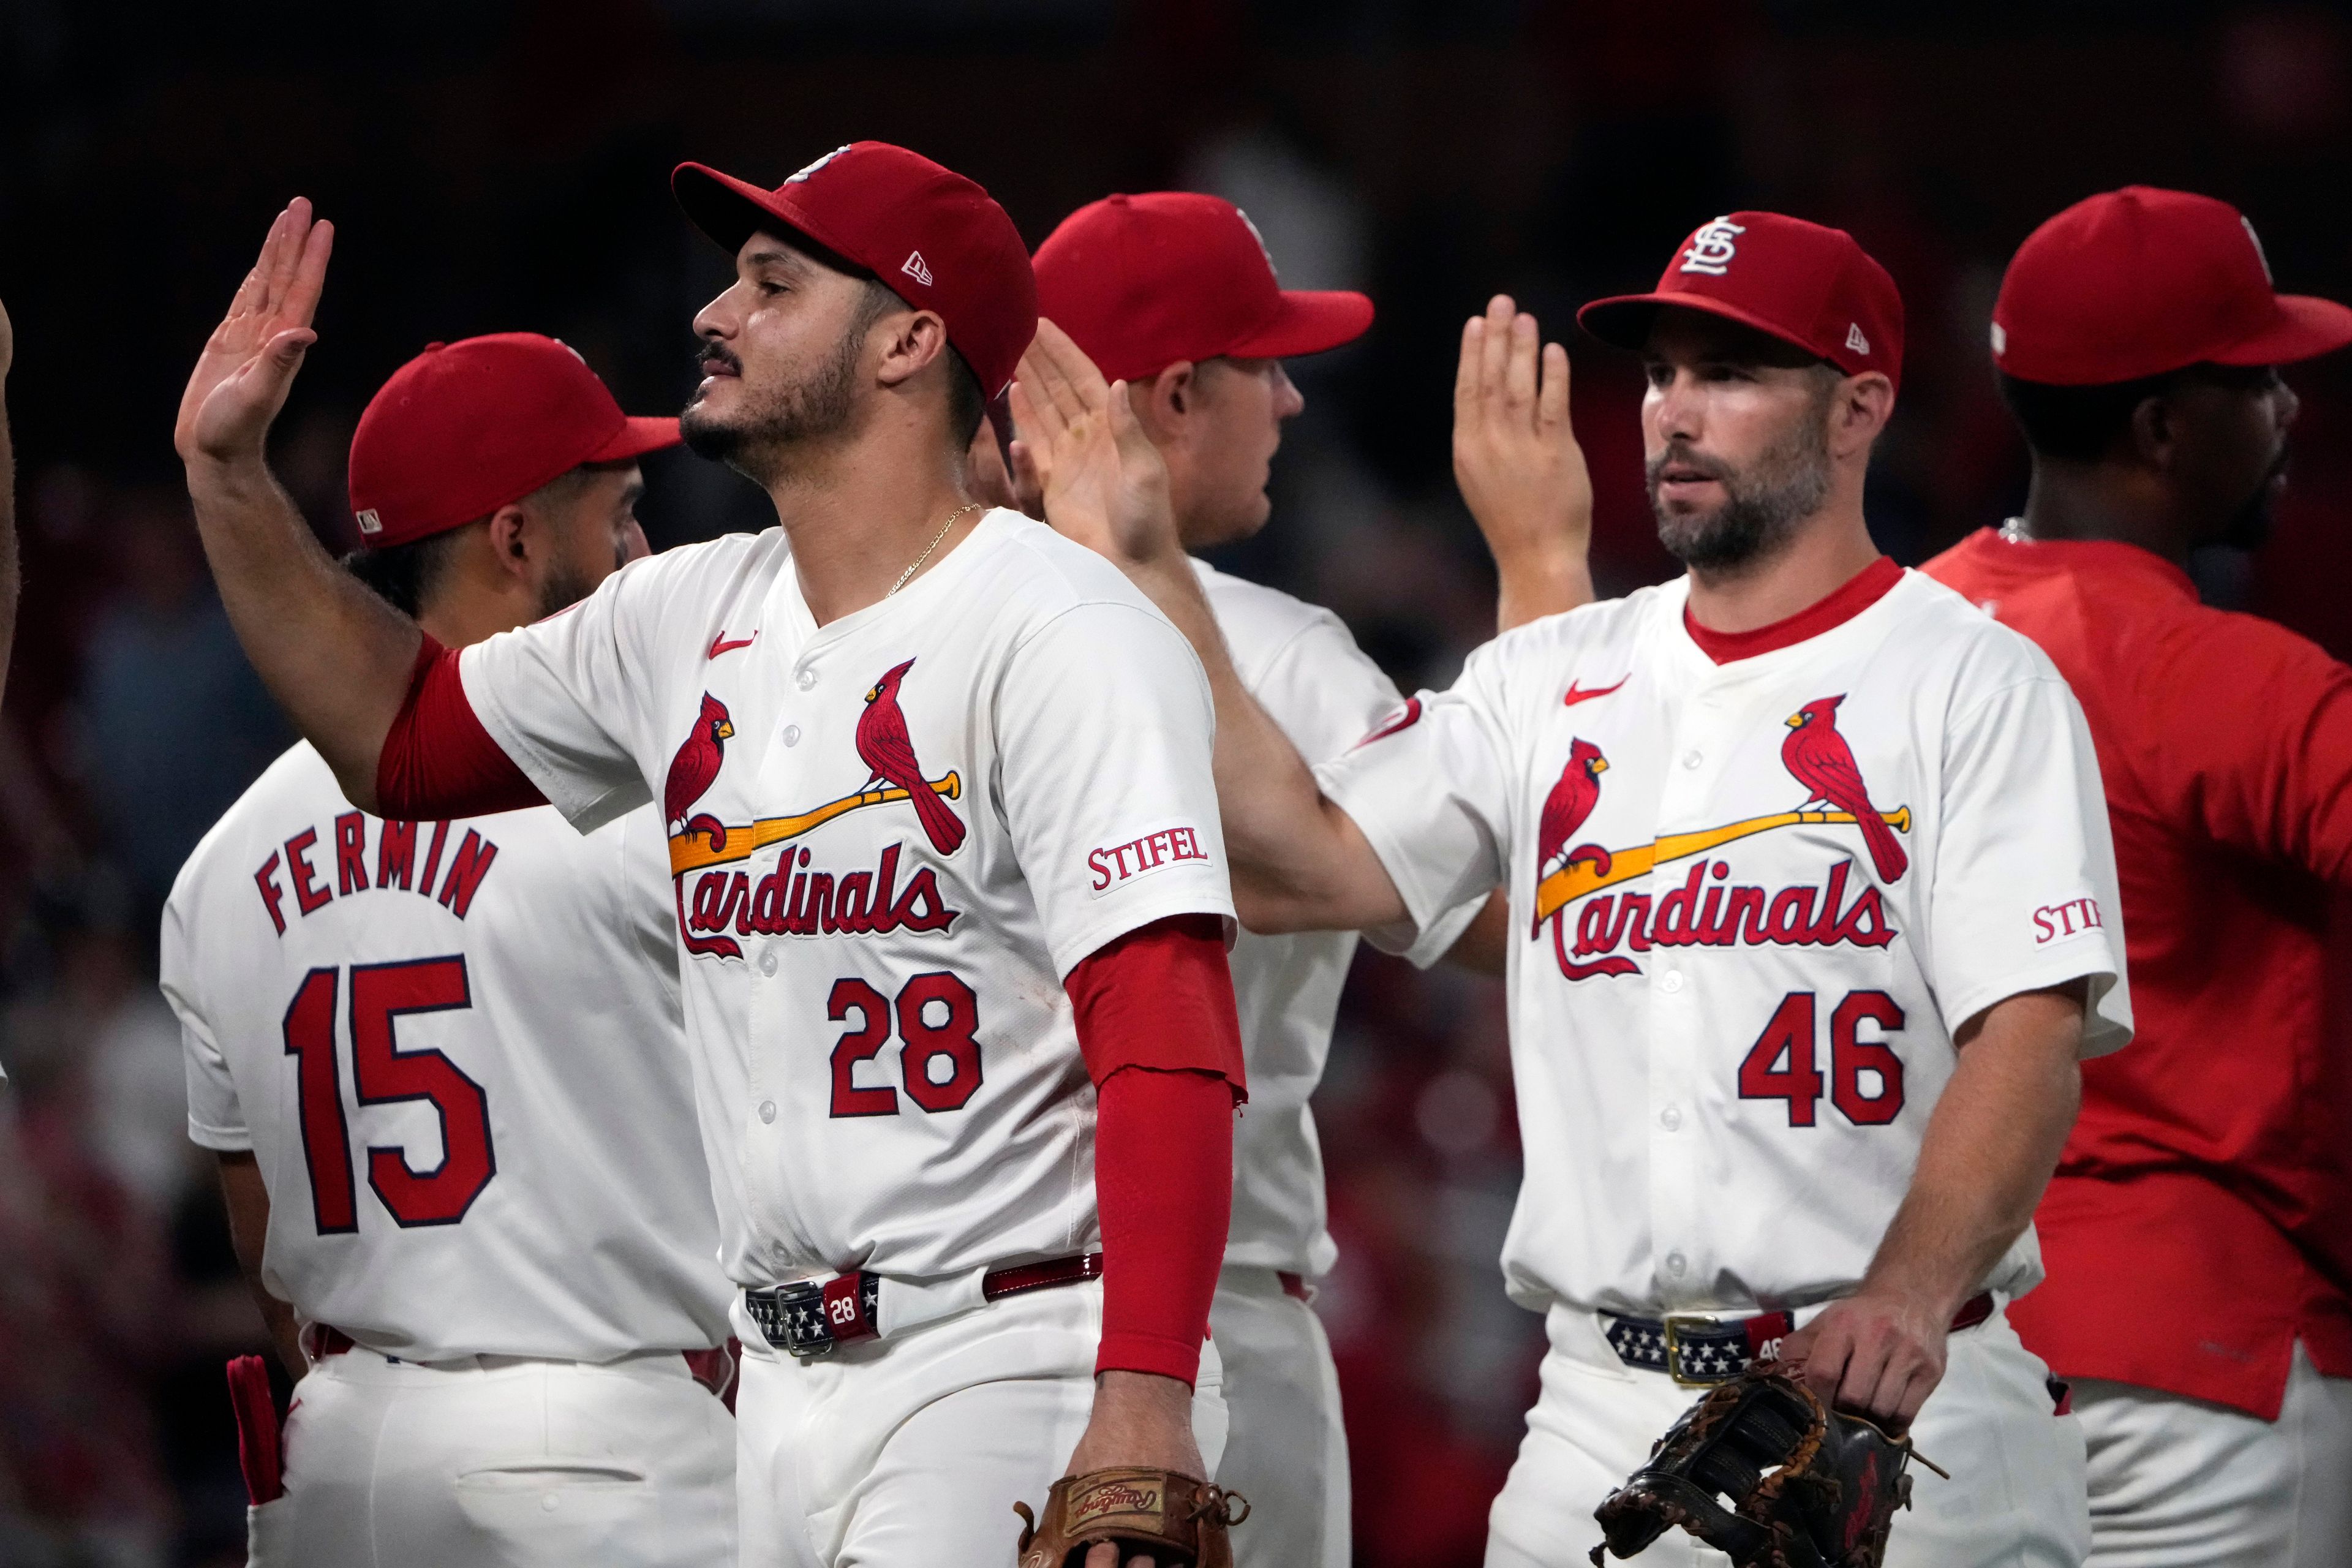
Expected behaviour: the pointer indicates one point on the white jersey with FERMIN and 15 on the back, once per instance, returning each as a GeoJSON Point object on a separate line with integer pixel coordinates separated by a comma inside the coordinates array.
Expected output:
{"type": "Point", "coordinates": [457, 1054]}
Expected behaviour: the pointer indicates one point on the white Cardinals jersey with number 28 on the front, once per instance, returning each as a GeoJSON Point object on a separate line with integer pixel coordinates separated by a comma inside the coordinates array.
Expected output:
{"type": "Point", "coordinates": [876, 984]}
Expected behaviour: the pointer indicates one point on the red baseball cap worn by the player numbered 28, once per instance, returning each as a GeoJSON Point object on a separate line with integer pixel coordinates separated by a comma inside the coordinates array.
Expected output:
{"type": "Point", "coordinates": [933, 236]}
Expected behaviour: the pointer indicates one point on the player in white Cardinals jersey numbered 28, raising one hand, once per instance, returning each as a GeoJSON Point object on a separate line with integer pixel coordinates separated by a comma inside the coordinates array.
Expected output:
{"type": "Point", "coordinates": [944, 862]}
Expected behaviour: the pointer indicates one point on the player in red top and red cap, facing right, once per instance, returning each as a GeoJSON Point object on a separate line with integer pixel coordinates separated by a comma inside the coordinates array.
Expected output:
{"type": "Point", "coordinates": [2200, 1289]}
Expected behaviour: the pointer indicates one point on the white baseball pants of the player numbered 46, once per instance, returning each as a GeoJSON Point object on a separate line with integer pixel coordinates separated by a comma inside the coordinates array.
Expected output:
{"type": "Point", "coordinates": [2014, 1501]}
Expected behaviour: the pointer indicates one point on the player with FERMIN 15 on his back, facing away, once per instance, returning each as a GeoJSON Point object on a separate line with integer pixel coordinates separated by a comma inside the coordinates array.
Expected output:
{"type": "Point", "coordinates": [443, 1064]}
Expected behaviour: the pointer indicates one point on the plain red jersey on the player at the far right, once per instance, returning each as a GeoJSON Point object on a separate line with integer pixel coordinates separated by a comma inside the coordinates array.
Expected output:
{"type": "Point", "coordinates": [2203, 1214]}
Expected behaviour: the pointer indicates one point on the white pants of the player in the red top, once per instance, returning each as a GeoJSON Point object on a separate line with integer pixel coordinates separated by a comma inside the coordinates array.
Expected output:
{"type": "Point", "coordinates": [2189, 1485]}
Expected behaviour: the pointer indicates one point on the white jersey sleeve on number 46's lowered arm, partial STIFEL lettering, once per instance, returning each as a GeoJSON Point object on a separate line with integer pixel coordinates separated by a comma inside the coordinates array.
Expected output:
{"type": "Point", "coordinates": [2026, 871]}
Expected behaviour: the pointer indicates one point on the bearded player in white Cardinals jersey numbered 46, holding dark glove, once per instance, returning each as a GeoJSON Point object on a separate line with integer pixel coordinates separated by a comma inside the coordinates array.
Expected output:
{"type": "Point", "coordinates": [1812, 916]}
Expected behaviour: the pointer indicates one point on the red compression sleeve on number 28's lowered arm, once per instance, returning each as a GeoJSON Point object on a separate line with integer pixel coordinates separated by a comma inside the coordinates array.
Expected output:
{"type": "Point", "coordinates": [1163, 1045]}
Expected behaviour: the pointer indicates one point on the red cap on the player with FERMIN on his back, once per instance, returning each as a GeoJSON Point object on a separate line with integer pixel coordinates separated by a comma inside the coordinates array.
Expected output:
{"type": "Point", "coordinates": [469, 427]}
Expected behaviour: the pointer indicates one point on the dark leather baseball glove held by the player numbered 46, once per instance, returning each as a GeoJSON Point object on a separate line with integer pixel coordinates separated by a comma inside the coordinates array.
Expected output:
{"type": "Point", "coordinates": [1810, 1487]}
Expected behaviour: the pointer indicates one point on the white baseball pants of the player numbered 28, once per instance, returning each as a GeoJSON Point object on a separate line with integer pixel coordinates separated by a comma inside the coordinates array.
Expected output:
{"type": "Point", "coordinates": [911, 1452]}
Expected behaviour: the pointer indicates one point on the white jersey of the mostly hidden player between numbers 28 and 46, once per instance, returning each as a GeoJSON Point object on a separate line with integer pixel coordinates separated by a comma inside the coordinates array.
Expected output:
{"type": "Point", "coordinates": [1316, 685]}
